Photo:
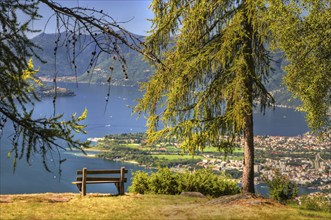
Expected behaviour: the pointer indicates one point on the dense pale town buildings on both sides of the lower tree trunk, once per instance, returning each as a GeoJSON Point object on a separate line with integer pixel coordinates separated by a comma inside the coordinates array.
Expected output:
{"type": "Point", "coordinates": [304, 159]}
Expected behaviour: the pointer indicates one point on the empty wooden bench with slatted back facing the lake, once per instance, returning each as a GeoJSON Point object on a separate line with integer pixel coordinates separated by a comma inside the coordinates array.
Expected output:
{"type": "Point", "coordinates": [85, 176]}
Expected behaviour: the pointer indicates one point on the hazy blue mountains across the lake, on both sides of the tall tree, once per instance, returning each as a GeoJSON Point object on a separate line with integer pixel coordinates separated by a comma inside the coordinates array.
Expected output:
{"type": "Point", "coordinates": [138, 69]}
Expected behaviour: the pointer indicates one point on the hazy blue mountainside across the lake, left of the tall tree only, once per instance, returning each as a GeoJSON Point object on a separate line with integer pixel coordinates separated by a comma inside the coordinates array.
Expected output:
{"type": "Point", "coordinates": [138, 69]}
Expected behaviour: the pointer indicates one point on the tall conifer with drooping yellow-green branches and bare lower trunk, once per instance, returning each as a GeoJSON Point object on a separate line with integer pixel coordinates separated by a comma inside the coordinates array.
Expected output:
{"type": "Point", "coordinates": [211, 77]}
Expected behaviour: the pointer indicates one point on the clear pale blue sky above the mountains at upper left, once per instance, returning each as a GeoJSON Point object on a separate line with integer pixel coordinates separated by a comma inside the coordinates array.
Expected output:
{"type": "Point", "coordinates": [121, 10]}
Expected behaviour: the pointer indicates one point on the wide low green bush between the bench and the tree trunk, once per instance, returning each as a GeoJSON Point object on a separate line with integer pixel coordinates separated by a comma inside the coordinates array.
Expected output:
{"type": "Point", "coordinates": [165, 182]}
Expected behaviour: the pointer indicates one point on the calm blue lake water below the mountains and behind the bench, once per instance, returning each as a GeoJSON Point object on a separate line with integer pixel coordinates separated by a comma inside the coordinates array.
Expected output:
{"type": "Point", "coordinates": [114, 118]}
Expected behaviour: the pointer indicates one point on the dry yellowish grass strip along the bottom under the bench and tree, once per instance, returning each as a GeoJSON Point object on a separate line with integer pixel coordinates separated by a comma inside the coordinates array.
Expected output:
{"type": "Point", "coordinates": [100, 206]}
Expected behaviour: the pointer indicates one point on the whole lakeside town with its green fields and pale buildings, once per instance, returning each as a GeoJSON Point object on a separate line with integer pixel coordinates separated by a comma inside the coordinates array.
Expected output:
{"type": "Point", "coordinates": [305, 159]}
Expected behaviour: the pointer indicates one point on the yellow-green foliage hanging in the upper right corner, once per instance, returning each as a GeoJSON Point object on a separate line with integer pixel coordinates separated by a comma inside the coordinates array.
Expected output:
{"type": "Point", "coordinates": [303, 32]}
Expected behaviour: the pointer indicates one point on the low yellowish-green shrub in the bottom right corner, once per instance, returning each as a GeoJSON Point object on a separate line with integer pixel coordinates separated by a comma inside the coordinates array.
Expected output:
{"type": "Point", "coordinates": [316, 202]}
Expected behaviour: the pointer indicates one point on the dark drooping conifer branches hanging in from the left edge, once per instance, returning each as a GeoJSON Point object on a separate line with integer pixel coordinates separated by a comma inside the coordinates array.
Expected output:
{"type": "Point", "coordinates": [41, 136]}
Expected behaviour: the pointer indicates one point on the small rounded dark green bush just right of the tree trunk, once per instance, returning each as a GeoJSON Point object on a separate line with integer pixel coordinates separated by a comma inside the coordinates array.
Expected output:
{"type": "Point", "coordinates": [280, 187]}
